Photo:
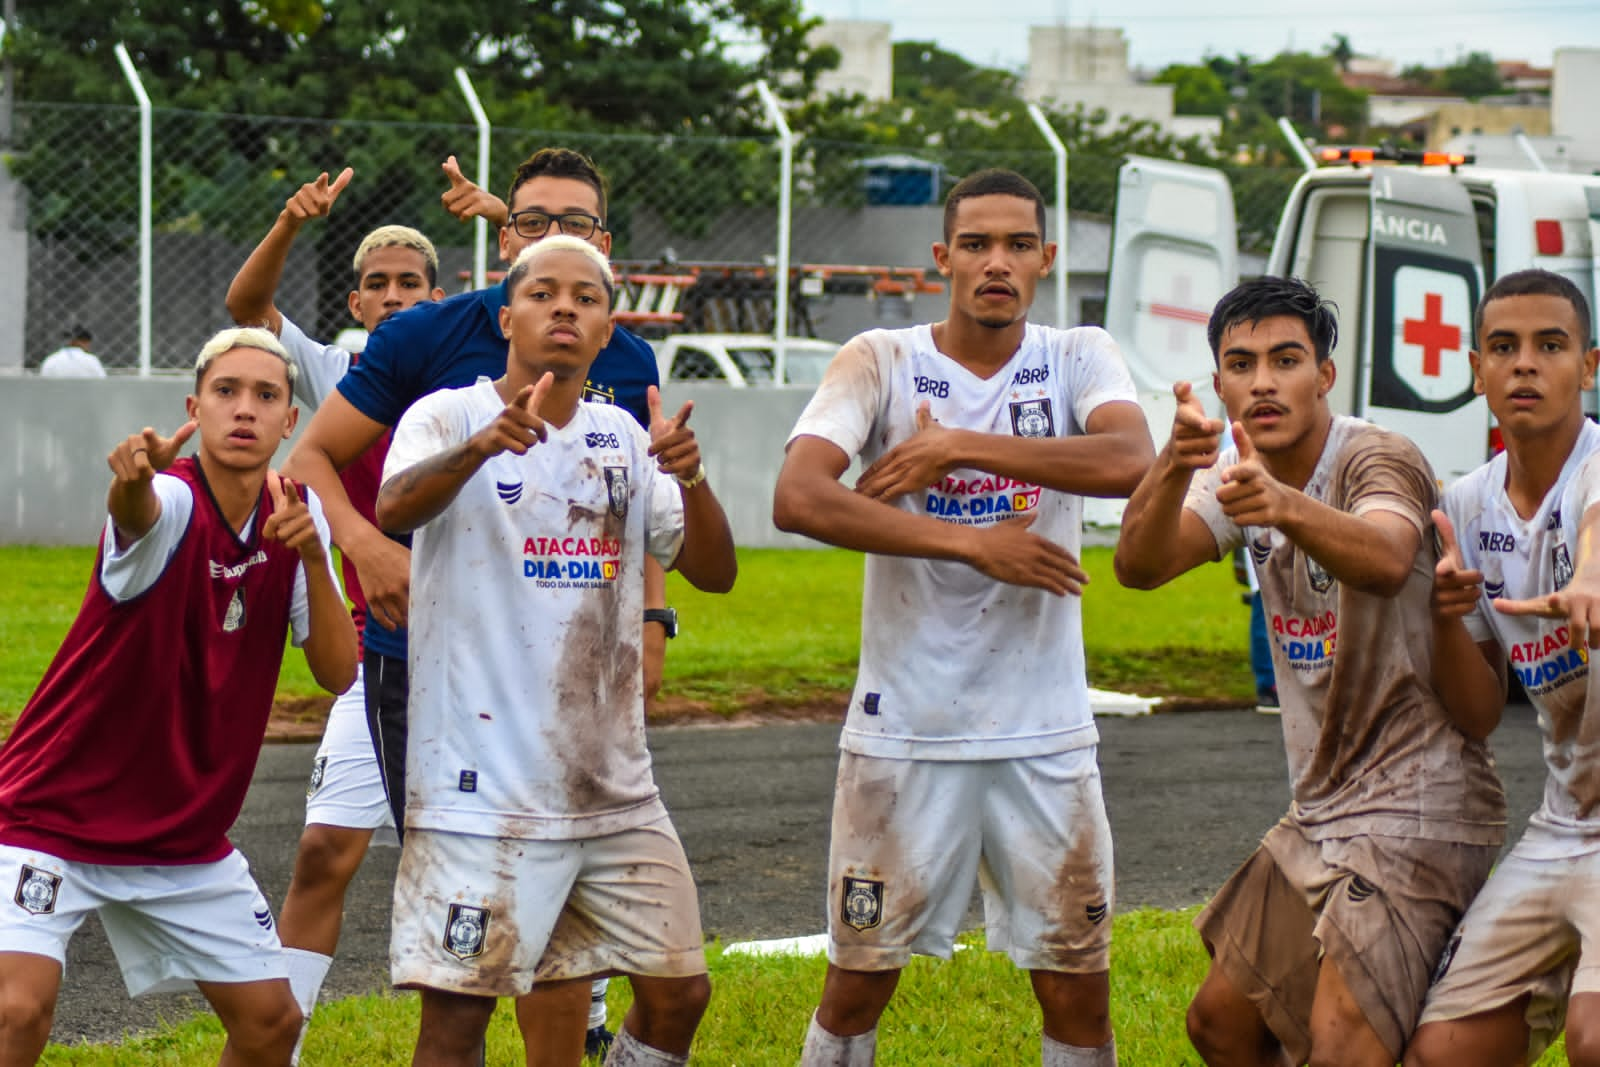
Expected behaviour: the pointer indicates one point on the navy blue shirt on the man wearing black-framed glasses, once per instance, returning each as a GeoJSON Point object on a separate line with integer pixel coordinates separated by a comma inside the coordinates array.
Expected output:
{"type": "Point", "coordinates": [452, 343]}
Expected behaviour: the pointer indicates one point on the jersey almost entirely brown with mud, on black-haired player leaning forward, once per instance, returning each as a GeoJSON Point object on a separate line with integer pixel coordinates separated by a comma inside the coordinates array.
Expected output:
{"type": "Point", "coordinates": [1370, 746]}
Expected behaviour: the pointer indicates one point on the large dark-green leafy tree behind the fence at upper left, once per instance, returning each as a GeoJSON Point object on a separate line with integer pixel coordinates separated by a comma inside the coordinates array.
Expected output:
{"type": "Point", "coordinates": [594, 66]}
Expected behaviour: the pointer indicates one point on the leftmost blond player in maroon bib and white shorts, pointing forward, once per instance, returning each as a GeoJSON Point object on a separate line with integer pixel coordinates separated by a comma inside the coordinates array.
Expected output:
{"type": "Point", "coordinates": [132, 761]}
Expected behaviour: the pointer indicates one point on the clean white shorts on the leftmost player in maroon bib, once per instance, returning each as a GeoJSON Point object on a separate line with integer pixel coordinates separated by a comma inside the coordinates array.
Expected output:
{"type": "Point", "coordinates": [170, 927]}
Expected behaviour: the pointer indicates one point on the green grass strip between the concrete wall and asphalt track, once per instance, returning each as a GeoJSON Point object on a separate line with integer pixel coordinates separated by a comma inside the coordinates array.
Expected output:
{"type": "Point", "coordinates": [786, 636]}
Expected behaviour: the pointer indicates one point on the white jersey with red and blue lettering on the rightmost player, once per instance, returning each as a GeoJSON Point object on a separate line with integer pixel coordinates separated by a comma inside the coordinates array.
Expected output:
{"type": "Point", "coordinates": [1524, 559]}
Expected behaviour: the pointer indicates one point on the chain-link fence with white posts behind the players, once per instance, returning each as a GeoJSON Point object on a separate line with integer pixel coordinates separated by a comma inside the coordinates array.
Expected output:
{"type": "Point", "coordinates": [694, 220]}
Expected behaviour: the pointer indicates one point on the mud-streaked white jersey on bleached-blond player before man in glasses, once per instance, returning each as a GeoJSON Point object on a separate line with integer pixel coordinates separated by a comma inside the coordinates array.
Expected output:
{"type": "Point", "coordinates": [527, 713]}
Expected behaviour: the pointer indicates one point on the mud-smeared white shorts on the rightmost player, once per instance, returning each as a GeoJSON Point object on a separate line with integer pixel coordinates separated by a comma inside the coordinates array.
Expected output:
{"type": "Point", "coordinates": [1534, 929]}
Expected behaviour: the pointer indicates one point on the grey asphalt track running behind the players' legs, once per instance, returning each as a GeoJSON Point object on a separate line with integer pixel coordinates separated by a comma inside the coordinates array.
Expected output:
{"type": "Point", "coordinates": [1190, 796]}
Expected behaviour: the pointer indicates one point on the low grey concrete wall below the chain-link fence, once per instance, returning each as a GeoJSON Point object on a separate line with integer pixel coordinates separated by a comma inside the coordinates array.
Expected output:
{"type": "Point", "coordinates": [57, 434]}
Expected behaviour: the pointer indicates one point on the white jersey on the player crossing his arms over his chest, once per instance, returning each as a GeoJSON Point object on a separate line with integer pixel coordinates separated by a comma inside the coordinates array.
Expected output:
{"type": "Point", "coordinates": [954, 665]}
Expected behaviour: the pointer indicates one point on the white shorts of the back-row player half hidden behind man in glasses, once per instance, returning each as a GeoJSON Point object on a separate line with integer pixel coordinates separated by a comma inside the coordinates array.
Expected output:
{"type": "Point", "coordinates": [346, 788]}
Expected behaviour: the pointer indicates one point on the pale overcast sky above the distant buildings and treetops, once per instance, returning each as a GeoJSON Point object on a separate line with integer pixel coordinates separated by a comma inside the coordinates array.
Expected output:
{"type": "Point", "coordinates": [1183, 31]}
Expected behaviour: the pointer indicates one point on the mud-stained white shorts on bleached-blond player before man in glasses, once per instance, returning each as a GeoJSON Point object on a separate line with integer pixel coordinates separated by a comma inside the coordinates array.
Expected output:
{"type": "Point", "coordinates": [490, 916]}
